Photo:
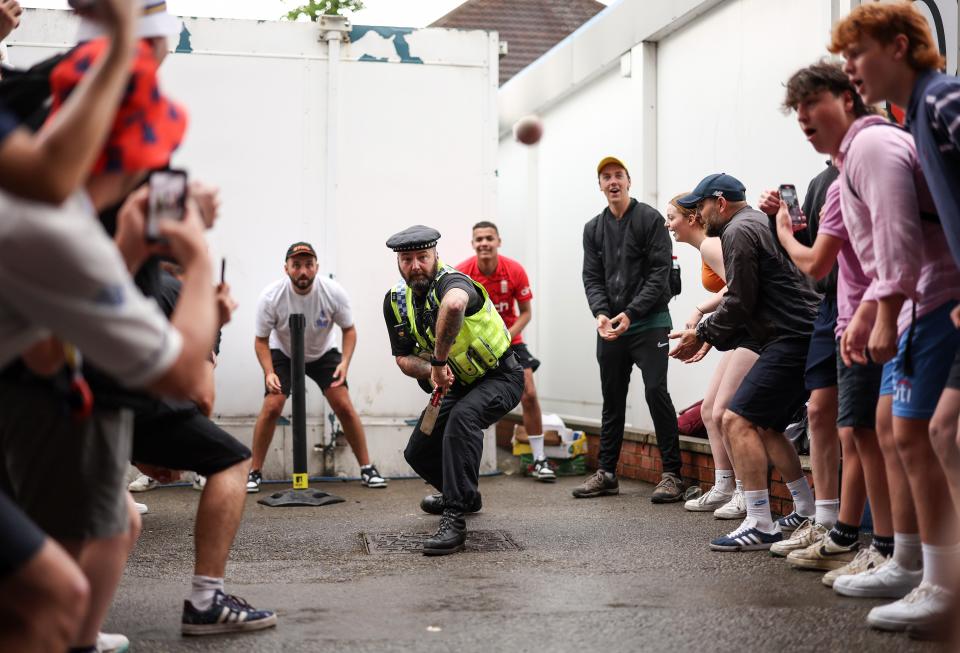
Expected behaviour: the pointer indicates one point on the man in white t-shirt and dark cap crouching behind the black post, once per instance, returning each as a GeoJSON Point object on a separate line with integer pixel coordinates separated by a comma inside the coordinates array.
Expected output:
{"type": "Point", "coordinates": [324, 303]}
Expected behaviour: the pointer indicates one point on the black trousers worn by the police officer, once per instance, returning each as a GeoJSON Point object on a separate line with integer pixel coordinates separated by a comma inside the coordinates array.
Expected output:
{"type": "Point", "coordinates": [449, 458]}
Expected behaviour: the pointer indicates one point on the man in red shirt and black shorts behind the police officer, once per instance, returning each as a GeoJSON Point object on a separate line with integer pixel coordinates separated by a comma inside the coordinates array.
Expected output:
{"type": "Point", "coordinates": [506, 283]}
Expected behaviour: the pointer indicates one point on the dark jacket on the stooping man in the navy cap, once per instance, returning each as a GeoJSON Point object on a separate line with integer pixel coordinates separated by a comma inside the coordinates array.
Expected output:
{"type": "Point", "coordinates": [766, 293]}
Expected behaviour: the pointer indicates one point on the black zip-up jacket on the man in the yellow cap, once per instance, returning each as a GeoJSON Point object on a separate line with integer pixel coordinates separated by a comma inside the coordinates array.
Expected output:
{"type": "Point", "coordinates": [626, 262]}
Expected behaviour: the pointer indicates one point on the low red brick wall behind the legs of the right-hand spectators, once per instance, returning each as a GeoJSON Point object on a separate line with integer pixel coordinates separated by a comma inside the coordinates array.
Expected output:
{"type": "Point", "coordinates": [640, 459]}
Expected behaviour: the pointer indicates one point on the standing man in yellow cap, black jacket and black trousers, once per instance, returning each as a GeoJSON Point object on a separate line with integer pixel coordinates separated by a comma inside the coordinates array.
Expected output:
{"type": "Point", "coordinates": [627, 255]}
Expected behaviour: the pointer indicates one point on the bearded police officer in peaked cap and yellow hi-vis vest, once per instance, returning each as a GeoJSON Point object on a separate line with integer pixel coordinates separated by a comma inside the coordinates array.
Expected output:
{"type": "Point", "coordinates": [444, 330]}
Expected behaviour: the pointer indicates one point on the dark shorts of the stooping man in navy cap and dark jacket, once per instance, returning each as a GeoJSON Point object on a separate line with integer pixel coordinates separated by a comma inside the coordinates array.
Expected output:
{"type": "Point", "coordinates": [773, 391]}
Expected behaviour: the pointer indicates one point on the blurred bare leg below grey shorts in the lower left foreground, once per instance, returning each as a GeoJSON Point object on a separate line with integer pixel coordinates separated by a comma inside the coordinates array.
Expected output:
{"type": "Point", "coordinates": [102, 562]}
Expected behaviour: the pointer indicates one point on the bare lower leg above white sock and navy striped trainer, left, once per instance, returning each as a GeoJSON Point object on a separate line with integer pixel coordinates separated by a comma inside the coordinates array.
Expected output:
{"type": "Point", "coordinates": [218, 517]}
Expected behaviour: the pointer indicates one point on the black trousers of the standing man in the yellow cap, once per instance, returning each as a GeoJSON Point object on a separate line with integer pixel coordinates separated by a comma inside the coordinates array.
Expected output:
{"type": "Point", "coordinates": [648, 350]}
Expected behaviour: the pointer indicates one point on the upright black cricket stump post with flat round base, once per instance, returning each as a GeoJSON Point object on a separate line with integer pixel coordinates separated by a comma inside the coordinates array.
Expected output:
{"type": "Point", "coordinates": [301, 494]}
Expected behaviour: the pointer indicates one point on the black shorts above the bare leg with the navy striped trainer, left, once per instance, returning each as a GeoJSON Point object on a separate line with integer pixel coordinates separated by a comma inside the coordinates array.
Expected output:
{"type": "Point", "coordinates": [185, 440]}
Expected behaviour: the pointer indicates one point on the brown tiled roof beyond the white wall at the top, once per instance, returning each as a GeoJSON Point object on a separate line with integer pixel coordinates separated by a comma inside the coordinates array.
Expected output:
{"type": "Point", "coordinates": [530, 27]}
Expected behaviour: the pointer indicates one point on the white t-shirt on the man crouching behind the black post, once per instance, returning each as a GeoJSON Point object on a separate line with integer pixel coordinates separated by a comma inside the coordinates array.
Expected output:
{"type": "Point", "coordinates": [326, 304]}
